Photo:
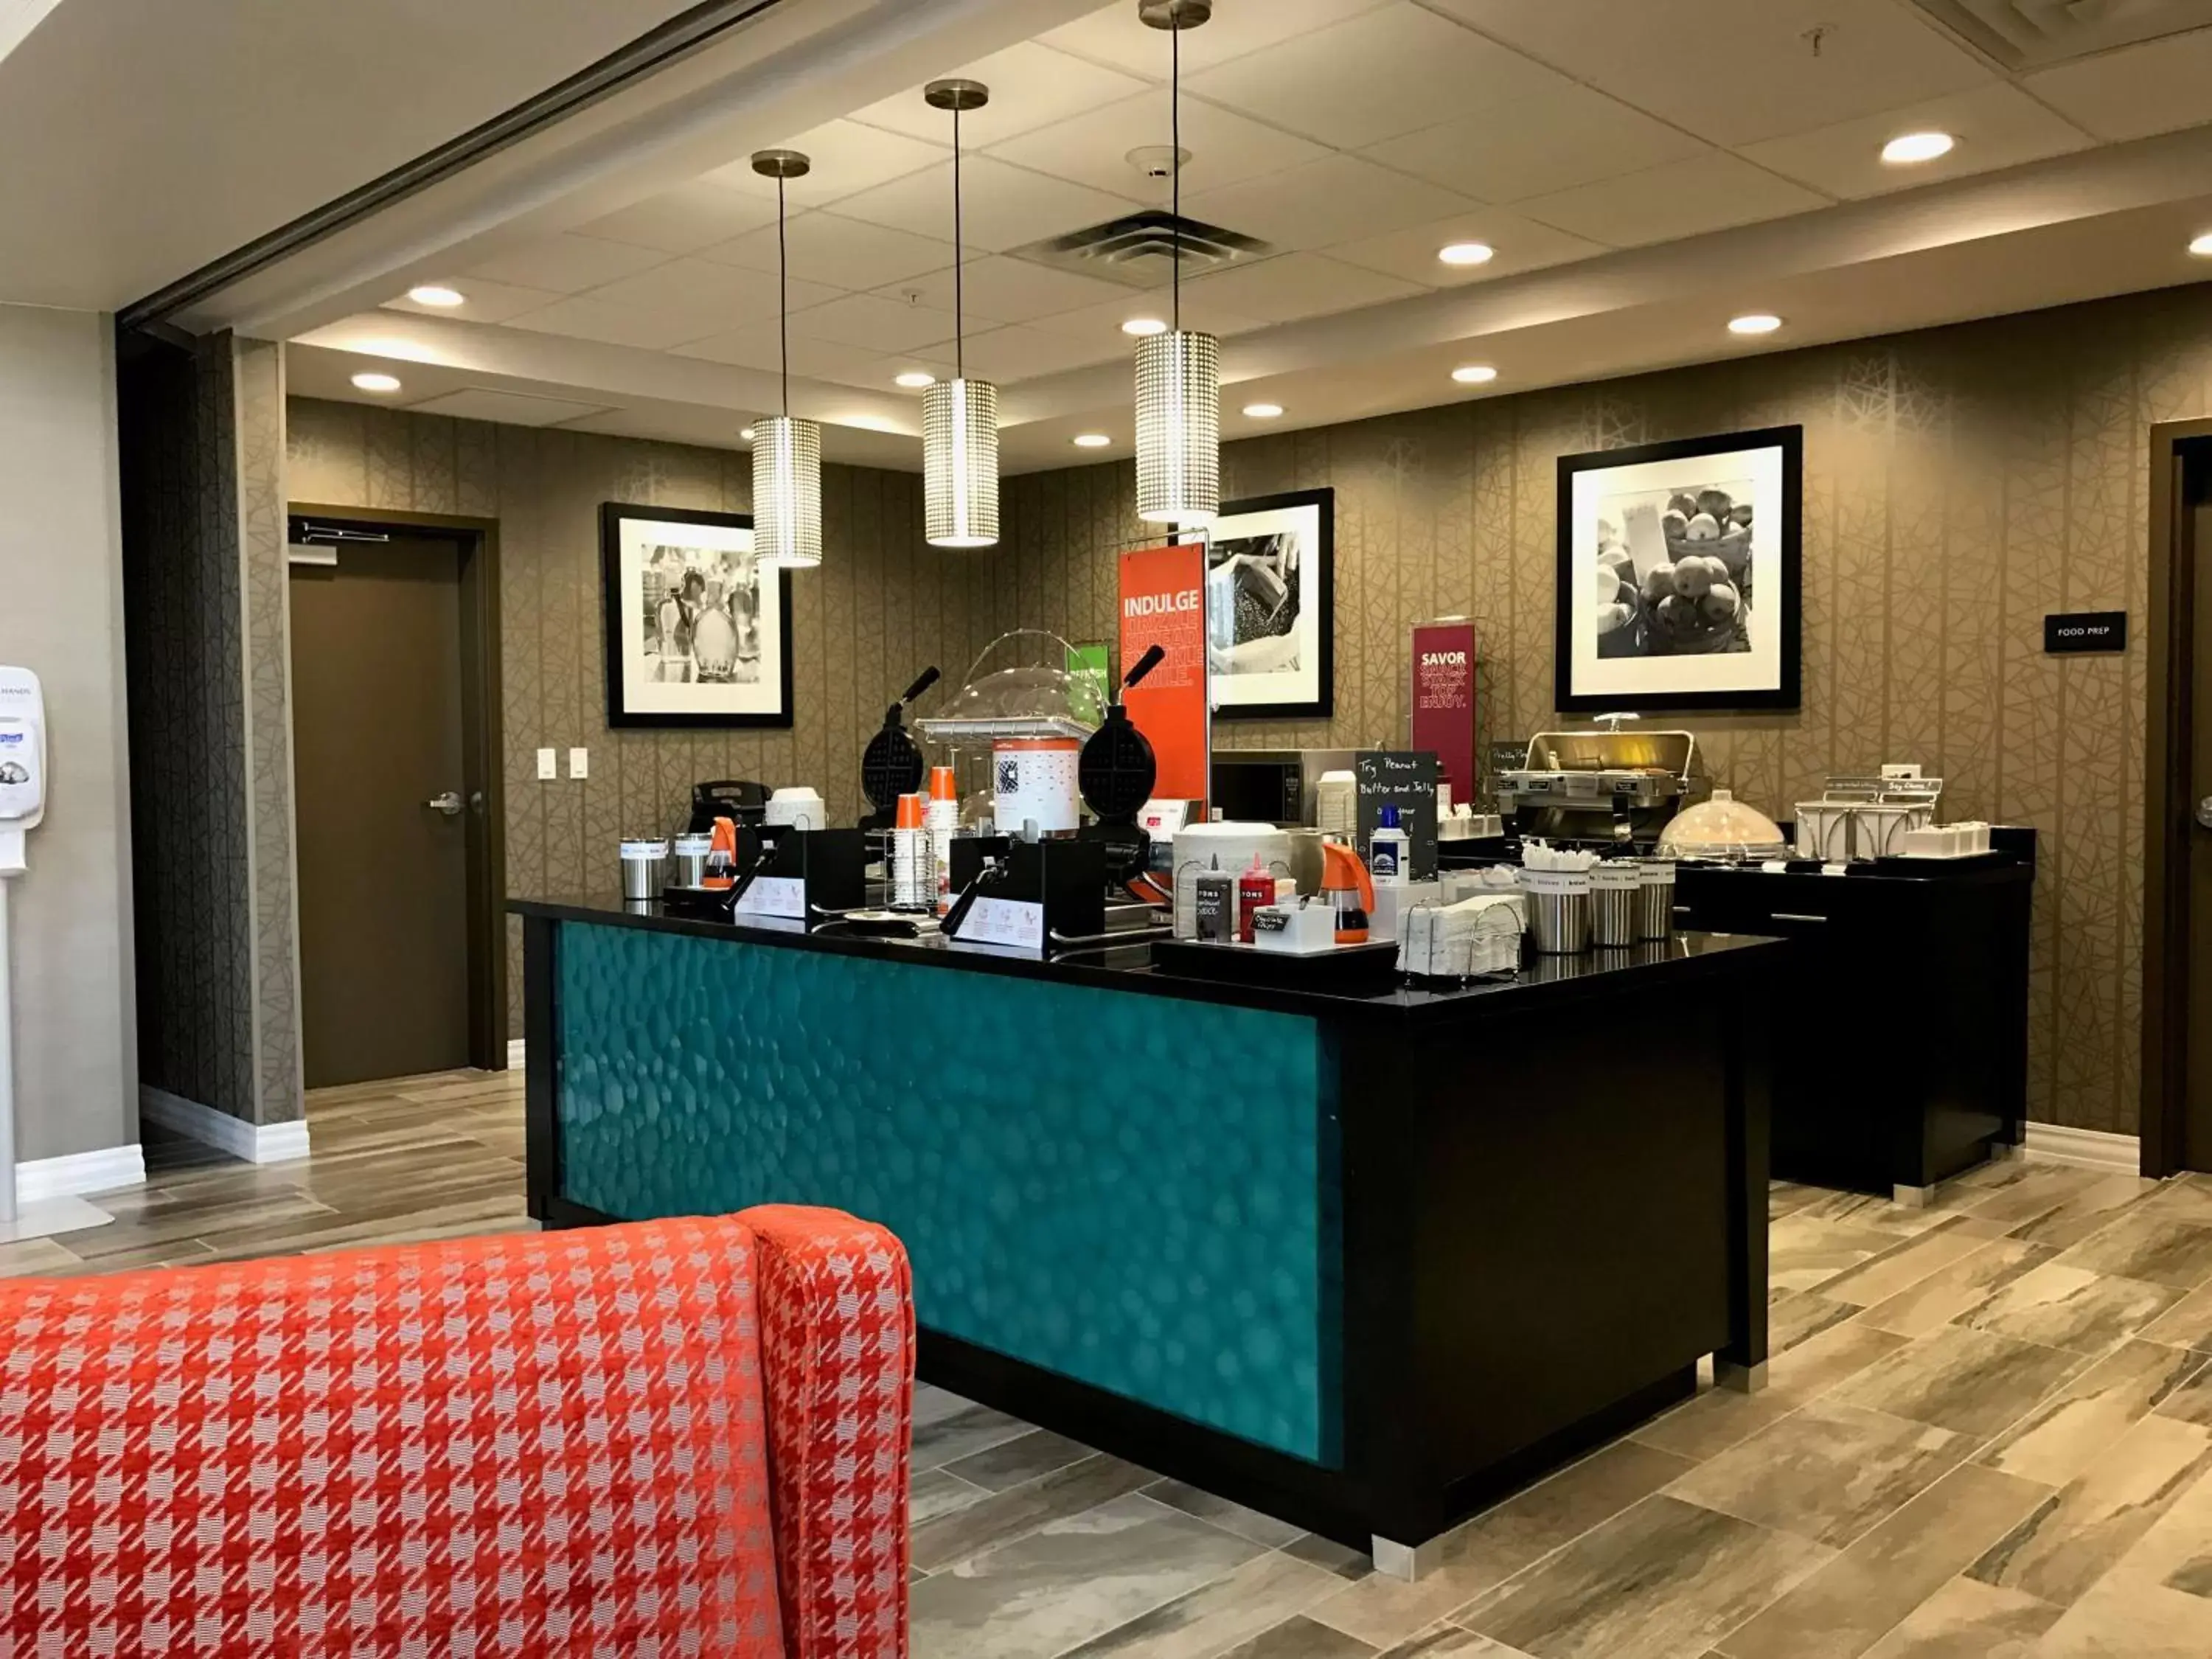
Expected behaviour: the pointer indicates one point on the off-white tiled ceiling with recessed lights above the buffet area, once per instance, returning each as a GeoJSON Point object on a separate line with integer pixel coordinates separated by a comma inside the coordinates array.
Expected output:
{"type": "Point", "coordinates": [1592, 143]}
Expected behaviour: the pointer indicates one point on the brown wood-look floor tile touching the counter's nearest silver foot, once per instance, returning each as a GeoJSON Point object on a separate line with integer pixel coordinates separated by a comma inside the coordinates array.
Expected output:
{"type": "Point", "coordinates": [1499, 1543]}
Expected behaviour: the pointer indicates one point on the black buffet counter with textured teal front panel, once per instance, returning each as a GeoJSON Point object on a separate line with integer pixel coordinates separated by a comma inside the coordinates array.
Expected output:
{"type": "Point", "coordinates": [1361, 1260]}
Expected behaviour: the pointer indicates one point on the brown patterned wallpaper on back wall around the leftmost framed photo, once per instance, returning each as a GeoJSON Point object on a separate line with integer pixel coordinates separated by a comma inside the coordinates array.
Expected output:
{"type": "Point", "coordinates": [881, 607]}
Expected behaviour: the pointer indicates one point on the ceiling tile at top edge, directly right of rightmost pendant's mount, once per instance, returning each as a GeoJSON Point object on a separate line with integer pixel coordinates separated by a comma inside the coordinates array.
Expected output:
{"type": "Point", "coordinates": [1373, 76]}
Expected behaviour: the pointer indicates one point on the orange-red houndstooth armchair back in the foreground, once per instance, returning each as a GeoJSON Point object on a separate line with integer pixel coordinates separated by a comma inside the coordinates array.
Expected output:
{"type": "Point", "coordinates": [667, 1439]}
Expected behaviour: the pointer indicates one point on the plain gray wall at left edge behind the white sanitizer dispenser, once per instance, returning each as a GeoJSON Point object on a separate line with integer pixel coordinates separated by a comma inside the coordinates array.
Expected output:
{"type": "Point", "coordinates": [61, 616]}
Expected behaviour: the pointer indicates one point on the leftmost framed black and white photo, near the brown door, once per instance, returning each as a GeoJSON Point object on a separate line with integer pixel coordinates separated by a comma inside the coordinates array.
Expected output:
{"type": "Point", "coordinates": [698, 632]}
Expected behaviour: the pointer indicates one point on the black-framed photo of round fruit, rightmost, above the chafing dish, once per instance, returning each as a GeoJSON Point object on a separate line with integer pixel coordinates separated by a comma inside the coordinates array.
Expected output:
{"type": "Point", "coordinates": [1680, 574]}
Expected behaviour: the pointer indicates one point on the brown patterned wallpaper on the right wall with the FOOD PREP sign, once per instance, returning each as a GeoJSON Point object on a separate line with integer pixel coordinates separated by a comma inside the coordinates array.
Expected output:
{"type": "Point", "coordinates": [1959, 486]}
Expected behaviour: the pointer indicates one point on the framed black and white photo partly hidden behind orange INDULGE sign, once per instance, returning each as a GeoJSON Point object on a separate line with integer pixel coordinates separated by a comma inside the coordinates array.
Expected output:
{"type": "Point", "coordinates": [1271, 607]}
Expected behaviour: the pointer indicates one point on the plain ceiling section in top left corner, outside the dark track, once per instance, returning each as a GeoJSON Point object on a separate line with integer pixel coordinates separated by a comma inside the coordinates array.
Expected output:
{"type": "Point", "coordinates": [147, 138]}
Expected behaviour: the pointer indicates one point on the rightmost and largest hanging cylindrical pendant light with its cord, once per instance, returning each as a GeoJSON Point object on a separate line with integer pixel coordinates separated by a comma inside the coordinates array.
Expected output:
{"type": "Point", "coordinates": [1178, 373]}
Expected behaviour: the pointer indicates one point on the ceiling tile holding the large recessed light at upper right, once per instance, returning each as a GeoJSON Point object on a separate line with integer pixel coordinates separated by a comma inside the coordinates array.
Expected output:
{"type": "Point", "coordinates": [1996, 127]}
